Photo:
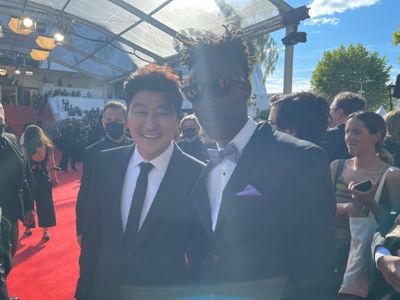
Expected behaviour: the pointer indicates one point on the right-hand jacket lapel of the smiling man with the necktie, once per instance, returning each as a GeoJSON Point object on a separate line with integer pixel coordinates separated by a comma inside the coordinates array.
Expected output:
{"type": "Point", "coordinates": [170, 179]}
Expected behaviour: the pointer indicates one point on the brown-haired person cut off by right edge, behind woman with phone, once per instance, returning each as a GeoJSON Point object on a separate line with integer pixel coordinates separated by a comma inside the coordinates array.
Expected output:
{"type": "Point", "coordinates": [392, 139]}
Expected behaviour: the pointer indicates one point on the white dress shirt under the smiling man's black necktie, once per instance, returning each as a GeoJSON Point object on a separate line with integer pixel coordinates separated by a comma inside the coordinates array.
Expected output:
{"type": "Point", "coordinates": [156, 175]}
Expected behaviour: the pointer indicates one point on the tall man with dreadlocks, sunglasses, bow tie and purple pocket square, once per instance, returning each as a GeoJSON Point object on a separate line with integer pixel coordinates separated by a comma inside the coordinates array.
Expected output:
{"type": "Point", "coordinates": [265, 197]}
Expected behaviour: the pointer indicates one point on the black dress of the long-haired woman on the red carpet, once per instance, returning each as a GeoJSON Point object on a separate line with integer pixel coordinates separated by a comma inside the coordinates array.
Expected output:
{"type": "Point", "coordinates": [42, 193]}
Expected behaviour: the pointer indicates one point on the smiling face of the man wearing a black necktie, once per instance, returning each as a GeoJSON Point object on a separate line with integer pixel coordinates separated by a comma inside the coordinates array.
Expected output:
{"type": "Point", "coordinates": [152, 123]}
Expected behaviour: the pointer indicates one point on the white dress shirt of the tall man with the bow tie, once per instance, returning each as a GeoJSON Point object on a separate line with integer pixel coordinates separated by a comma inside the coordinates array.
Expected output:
{"type": "Point", "coordinates": [221, 173]}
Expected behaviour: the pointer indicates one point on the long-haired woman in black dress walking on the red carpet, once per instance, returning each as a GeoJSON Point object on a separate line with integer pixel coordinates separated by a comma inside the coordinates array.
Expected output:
{"type": "Point", "coordinates": [38, 148]}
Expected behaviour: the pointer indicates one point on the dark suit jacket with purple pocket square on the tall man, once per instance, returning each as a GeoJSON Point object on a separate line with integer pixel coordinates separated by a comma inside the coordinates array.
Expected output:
{"type": "Point", "coordinates": [286, 230]}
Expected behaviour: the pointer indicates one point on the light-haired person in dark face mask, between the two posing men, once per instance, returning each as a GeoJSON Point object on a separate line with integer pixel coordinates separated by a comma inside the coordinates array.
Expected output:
{"type": "Point", "coordinates": [191, 142]}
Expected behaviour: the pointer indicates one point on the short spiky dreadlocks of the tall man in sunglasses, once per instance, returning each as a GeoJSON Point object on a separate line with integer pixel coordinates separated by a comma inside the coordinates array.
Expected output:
{"type": "Point", "coordinates": [229, 45]}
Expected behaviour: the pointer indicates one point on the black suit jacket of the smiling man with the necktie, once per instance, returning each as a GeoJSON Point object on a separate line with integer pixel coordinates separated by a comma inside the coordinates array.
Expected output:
{"type": "Point", "coordinates": [170, 231]}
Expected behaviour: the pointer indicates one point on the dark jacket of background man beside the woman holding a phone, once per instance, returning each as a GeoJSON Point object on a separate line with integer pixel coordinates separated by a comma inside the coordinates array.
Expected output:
{"type": "Point", "coordinates": [334, 143]}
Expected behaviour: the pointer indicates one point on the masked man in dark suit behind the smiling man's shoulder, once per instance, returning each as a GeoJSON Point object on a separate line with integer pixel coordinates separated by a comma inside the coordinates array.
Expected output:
{"type": "Point", "coordinates": [114, 123]}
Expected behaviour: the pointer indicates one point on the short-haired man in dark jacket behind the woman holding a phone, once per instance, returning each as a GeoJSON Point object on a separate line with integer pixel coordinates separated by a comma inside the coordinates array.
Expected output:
{"type": "Point", "coordinates": [343, 105]}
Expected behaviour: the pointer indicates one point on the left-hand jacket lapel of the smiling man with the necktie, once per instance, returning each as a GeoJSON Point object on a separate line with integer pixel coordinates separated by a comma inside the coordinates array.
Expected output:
{"type": "Point", "coordinates": [117, 178]}
